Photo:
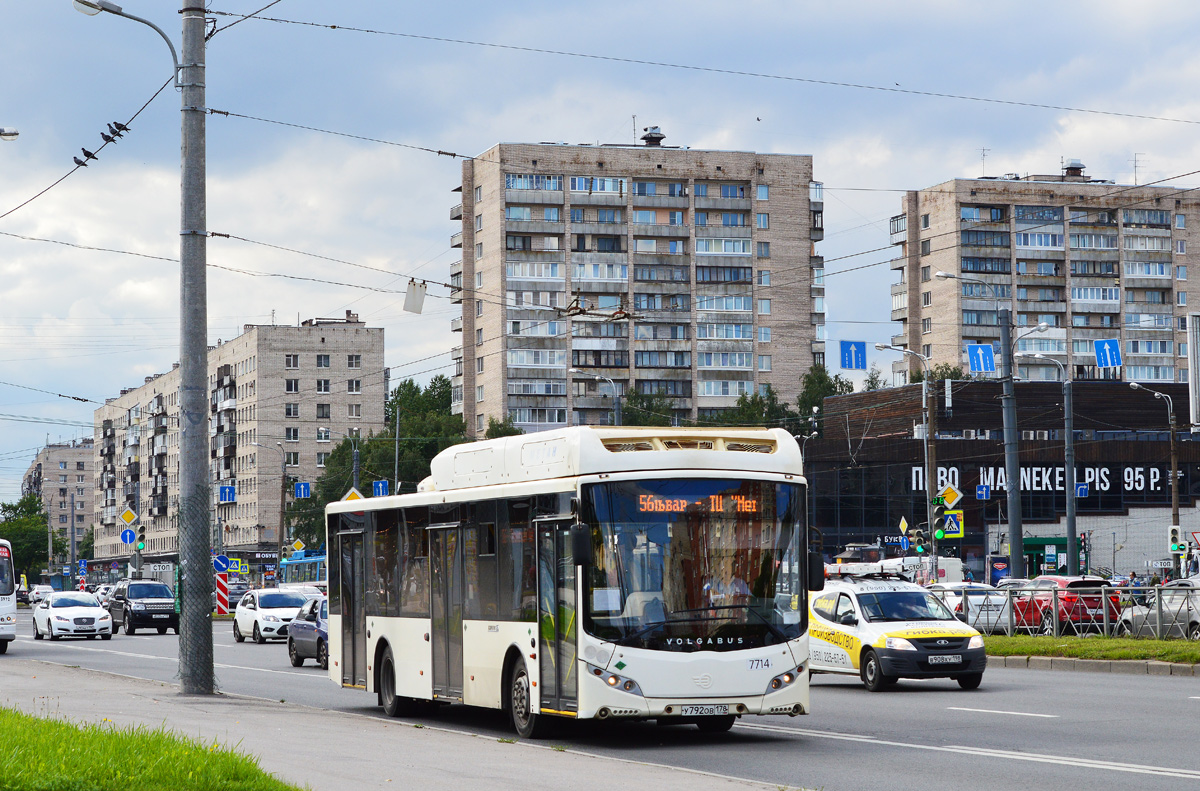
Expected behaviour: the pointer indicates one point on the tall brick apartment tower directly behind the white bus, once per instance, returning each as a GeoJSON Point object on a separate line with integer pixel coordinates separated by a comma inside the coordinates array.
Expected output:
{"type": "Point", "coordinates": [589, 269]}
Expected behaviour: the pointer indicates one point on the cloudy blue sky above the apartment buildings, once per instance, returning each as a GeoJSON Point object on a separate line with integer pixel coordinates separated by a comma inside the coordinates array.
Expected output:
{"type": "Point", "coordinates": [87, 322]}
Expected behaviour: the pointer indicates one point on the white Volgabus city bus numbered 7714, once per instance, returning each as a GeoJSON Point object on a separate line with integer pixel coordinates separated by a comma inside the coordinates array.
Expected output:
{"type": "Point", "coordinates": [584, 573]}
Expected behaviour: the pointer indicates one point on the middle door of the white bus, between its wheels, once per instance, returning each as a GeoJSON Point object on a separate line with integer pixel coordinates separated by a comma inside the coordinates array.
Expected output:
{"type": "Point", "coordinates": [446, 608]}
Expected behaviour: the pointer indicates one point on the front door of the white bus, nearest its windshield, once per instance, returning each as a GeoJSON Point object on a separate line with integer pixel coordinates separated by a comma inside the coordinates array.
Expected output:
{"type": "Point", "coordinates": [556, 618]}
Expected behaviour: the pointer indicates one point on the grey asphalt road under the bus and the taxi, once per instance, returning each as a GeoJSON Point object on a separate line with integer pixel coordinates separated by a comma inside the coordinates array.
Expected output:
{"type": "Point", "coordinates": [1048, 729]}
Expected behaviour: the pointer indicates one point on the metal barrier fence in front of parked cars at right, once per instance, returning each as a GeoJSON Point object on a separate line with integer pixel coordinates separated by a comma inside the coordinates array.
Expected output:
{"type": "Point", "coordinates": [1160, 612]}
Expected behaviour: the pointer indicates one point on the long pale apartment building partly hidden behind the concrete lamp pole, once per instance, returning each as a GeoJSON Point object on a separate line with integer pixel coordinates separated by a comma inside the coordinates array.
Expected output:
{"type": "Point", "coordinates": [281, 398]}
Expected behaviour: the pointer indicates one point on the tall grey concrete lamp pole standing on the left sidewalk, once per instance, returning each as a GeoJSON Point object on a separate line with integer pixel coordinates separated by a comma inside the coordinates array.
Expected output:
{"type": "Point", "coordinates": [195, 493]}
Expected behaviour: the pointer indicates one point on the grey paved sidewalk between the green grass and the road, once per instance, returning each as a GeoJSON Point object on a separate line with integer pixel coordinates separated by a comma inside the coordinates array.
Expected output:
{"type": "Point", "coordinates": [335, 751]}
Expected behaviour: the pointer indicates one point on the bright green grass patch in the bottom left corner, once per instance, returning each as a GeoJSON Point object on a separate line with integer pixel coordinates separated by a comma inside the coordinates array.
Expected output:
{"type": "Point", "coordinates": [56, 756]}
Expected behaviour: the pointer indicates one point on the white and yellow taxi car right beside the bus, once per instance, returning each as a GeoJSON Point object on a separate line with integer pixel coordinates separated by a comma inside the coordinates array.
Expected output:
{"type": "Point", "coordinates": [885, 628]}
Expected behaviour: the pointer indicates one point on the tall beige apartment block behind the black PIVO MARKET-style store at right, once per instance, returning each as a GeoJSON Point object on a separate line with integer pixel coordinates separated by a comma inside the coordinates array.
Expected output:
{"type": "Point", "coordinates": [1089, 259]}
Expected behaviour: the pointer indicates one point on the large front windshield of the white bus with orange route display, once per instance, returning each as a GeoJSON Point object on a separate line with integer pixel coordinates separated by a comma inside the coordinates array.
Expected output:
{"type": "Point", "coordinates": [695, 565]}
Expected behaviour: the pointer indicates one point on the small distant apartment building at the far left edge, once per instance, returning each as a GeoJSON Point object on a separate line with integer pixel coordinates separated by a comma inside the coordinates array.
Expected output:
{"type": "Point", "coordinates": [62, 476]}
